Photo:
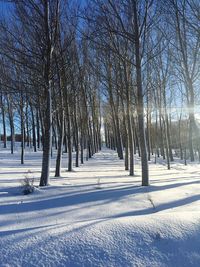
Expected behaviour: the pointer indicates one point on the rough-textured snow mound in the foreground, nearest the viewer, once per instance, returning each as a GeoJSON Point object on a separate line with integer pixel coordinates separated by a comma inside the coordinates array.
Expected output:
{"type": "Point", "coordinates": [166, 240]}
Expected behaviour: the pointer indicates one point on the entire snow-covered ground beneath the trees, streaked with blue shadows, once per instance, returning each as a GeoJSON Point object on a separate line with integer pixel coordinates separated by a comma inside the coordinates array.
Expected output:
{"type": "Point", "coordinates": [98, 215]}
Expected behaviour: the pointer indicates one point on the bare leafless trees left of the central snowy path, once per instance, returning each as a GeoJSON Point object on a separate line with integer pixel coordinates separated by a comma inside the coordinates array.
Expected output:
{"type": "Point", "coordinates": [46, 82]}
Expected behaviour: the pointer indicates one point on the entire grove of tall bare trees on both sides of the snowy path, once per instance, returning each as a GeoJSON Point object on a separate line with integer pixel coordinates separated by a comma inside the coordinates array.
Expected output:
{"type": "Point", "coordinates": [131, 65]}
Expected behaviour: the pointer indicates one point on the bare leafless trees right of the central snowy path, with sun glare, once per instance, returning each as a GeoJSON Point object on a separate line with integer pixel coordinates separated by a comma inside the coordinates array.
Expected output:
{"type": "Point", "coordinates": [150, 58]}
